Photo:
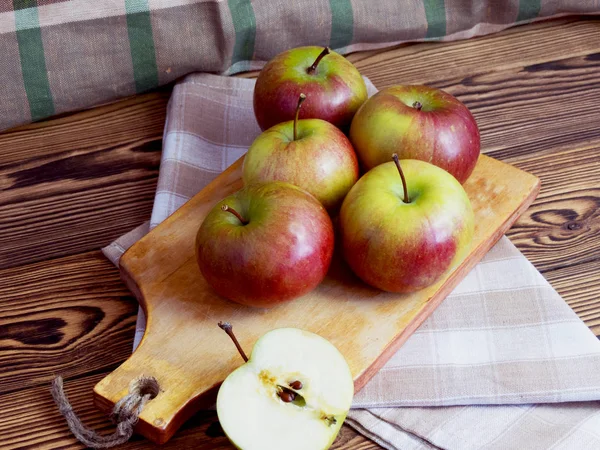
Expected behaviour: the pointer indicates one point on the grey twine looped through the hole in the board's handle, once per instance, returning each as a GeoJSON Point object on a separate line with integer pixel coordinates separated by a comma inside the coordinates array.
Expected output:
{"type": "Point", "coordinates": [125, 413]}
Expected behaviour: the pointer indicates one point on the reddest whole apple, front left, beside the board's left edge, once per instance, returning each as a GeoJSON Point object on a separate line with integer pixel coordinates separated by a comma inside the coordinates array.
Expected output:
{"type": "Point", "coordinates": [283, 252]}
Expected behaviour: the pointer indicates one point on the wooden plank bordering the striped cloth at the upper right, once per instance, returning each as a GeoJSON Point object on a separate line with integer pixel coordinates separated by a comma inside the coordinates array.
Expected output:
{"type": "Point", "coordinates": [435, 62]}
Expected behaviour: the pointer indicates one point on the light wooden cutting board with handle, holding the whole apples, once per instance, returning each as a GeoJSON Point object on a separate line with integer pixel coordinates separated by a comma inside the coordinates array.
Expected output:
{"type": "Point", "coordinates": [189, 355]}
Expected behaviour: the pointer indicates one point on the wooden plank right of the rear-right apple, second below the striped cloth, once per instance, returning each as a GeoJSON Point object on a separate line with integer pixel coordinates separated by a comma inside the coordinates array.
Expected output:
{"type": "Point", "coordinates": [534, 109]}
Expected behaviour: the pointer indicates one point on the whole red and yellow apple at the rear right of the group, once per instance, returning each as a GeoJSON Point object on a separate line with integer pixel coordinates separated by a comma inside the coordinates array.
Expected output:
{"type": "Point", "coordinates": [443, 132]}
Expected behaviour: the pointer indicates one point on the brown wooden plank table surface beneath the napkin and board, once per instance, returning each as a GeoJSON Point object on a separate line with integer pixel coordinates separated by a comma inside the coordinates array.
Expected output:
{"type": "Point", "coordinates": [72, 184]}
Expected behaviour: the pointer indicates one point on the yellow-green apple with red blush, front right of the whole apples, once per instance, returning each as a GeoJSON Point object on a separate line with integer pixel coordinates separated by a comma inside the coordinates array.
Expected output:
{"type": "Point", "coordinates": [404, 247]}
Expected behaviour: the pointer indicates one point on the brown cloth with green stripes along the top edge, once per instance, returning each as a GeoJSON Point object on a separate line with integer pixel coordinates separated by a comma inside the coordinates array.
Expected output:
{"type": "Point", "coordinates": [62, 55]}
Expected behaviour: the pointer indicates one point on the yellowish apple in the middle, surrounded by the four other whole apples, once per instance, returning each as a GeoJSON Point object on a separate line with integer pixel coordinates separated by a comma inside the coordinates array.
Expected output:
{"type": "Point", "coordinates": [321, 160]}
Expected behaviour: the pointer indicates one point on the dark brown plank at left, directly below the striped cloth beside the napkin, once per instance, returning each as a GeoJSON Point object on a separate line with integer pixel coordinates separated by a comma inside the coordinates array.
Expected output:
{"type": "Point", "coordinates": [75, 183]}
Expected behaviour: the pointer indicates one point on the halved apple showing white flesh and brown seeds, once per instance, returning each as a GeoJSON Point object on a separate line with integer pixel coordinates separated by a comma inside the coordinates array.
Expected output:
{"type": "Point", "coordinates": [250, 407]}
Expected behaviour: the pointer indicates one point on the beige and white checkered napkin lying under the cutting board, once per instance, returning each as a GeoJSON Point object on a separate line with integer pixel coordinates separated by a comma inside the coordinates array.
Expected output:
{"type": "Point", "coordinates": [503, 337]}
